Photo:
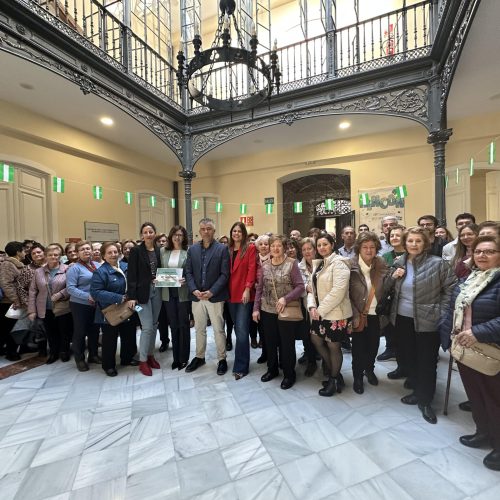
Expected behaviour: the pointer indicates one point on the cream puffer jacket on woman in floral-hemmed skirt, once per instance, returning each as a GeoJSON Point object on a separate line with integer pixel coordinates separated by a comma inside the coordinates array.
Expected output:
{"type": "Point", "coordinates": [332, 288]}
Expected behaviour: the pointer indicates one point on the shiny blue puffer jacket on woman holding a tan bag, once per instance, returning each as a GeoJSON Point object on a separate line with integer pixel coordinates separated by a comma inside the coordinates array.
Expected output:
{"type": "Point", "coordinates": [107, 287]}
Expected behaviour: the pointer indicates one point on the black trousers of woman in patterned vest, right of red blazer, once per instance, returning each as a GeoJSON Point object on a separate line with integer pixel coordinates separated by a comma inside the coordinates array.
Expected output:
{"type": "Point", "coordinates": [279, 335]}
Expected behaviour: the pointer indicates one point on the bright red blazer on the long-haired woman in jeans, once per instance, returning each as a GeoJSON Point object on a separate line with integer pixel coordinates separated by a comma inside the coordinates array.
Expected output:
{"type": "Point", "coordinates": [243, 274]}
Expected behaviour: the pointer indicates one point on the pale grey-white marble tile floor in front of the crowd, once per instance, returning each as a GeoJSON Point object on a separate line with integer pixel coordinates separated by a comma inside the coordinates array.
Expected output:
{"type": "Point", "coordinates": [70, 435]}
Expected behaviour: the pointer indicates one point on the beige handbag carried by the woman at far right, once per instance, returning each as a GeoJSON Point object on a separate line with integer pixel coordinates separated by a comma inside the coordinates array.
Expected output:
{"type": "Point", "coordinates": [482, 357]}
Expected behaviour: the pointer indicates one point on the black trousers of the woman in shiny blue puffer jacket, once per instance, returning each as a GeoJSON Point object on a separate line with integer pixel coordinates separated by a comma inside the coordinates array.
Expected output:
{"type": "Point", "coordinates": [109, 342]}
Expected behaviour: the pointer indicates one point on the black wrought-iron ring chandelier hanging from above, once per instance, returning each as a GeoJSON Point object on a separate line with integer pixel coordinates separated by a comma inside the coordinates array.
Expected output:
{"type": "Point", "coordinates": [228, 78]}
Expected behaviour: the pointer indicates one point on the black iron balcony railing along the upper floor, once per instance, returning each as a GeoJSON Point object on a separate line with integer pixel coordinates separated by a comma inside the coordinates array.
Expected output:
{"type": "Point", "coordinates": [391, 38]}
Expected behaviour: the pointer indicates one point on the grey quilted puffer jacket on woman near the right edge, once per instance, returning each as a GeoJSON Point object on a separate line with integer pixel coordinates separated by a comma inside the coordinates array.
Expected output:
{"type": "Point", "coordinates": [433, 284]}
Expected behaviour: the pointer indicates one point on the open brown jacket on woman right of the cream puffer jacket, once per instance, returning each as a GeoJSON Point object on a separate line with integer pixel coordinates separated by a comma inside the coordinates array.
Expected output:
{"type": "Point", "coordinates": [358, 291]}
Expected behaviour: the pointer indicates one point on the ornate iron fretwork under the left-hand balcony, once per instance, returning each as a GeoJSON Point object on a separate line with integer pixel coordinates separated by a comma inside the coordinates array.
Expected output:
{"type": "Point", "coordinates": [78, 73]}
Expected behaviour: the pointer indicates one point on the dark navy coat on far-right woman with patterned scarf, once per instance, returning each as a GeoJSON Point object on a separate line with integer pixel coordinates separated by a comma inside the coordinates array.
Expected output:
{"type": "Point", "coordinates": [485, 315]}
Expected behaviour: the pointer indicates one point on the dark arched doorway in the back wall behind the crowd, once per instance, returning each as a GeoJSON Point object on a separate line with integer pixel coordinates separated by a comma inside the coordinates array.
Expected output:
{"type": "Point", "coordinates": [311, 192]}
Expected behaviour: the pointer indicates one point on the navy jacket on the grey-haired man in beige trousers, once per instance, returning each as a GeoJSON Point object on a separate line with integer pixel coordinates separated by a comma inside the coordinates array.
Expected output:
{"type": "Point", "coordinates": [215, 273]}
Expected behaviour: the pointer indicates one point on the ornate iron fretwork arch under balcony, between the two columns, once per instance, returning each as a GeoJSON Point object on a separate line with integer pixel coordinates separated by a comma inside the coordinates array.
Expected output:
{"type": "Point", "coordinates": [409, 103]}
